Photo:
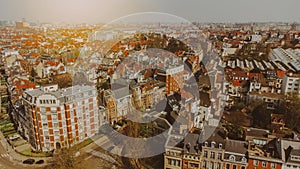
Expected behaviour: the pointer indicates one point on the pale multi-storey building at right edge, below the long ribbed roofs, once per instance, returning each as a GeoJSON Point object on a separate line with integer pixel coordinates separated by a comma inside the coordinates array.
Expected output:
{"type": "Point", "coordinates": [290, 83]}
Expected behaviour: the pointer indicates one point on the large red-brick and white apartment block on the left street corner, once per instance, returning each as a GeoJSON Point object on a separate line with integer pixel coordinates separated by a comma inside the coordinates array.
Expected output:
{"type": "Point", "coordinates": [60, 118]}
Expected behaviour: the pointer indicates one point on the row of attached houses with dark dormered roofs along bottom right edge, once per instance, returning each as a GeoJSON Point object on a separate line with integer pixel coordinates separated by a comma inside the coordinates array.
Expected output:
{"type": "Point", "coordinates": [219, 152]}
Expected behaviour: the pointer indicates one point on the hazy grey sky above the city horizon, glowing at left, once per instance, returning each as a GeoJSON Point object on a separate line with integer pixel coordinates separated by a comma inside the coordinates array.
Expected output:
{"type": "Point", "coordinates": [95, 11]}
